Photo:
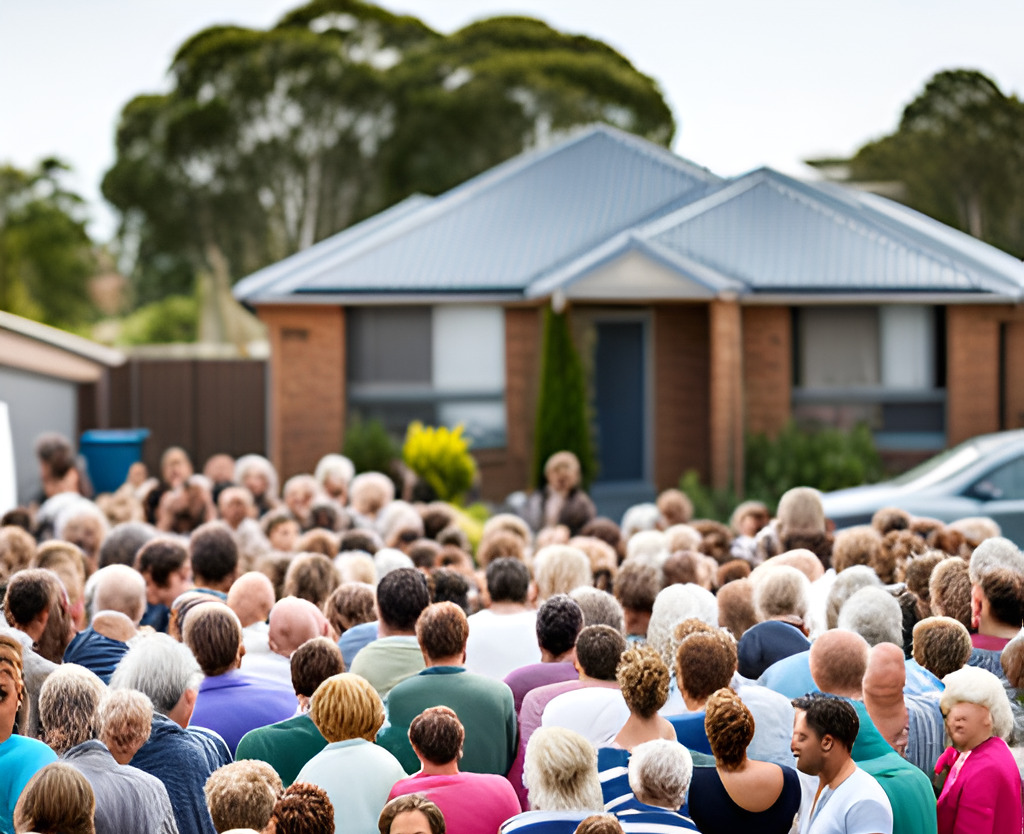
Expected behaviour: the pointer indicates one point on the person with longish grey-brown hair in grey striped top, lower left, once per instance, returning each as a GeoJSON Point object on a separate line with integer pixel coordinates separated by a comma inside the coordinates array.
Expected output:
{"type": "Point", "coordinates": [126, 799]}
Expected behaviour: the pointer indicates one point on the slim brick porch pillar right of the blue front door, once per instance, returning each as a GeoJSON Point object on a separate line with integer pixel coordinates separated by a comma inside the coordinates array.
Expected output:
{"type": "Point", "coordinates": [727, 395]}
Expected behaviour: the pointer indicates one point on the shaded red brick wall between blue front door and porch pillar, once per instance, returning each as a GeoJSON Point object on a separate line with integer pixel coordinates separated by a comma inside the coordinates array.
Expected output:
{"type": "Point", "coordinates": [681, 393]}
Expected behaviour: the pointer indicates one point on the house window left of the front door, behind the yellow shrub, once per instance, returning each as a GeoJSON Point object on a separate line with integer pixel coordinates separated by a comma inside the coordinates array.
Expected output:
{"type": "Point", "coordinates": [443, 365]}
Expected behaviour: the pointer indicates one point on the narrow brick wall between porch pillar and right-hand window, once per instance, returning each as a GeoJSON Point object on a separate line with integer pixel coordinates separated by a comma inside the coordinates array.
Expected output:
{"type": "Point", "coordinates": [767, 368]}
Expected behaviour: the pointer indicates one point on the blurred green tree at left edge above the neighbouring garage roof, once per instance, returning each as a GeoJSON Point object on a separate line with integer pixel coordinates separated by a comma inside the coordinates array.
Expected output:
{"type": "Point", "coordinates": [47, 258]}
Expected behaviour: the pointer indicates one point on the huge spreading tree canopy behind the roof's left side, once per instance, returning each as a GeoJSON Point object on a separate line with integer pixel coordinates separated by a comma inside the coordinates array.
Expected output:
{"type": "Point", "coordinates": [270, 141]}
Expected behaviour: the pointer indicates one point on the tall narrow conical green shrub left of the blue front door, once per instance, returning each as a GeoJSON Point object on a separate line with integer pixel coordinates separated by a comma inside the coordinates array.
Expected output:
{"type": "Point", "coordinates": [562, 406]}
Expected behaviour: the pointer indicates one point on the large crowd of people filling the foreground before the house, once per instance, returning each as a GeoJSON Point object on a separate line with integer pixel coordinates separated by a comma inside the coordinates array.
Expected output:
{"type": "Point", "coordinates": [203, 654]}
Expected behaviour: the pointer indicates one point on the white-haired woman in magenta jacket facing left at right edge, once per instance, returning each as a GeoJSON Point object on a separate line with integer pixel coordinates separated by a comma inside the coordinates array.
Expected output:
{"type": "Point", "coordinates": [983, 788]}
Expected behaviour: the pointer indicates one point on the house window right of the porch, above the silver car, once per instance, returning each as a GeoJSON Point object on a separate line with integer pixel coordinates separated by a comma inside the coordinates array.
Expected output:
{"type": "Point", "coordinates": [879, 365]}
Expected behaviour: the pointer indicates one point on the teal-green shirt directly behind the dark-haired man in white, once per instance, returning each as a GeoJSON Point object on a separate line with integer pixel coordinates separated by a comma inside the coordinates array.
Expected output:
{"type": "Point", "coordinates": [909, 789]}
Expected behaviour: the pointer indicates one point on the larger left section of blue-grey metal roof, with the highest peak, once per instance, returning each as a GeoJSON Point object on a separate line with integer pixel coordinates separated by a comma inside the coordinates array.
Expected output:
{"type": "Point", "coordinates": [497, 233]}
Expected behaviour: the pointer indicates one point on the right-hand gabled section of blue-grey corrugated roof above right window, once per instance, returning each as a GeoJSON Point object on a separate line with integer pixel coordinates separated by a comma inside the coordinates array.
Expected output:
{"type": "Point", "coordinates": [776, 234]}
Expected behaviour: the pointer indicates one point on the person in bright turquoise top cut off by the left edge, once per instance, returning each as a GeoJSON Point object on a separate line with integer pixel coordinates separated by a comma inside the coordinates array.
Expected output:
{"type": "Point", "coordinates": [21, 758]}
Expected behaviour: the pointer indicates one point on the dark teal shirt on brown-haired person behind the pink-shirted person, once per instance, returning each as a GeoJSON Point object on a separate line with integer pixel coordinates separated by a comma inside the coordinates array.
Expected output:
{"type": "Point", "coordinates": [485, 706]}
